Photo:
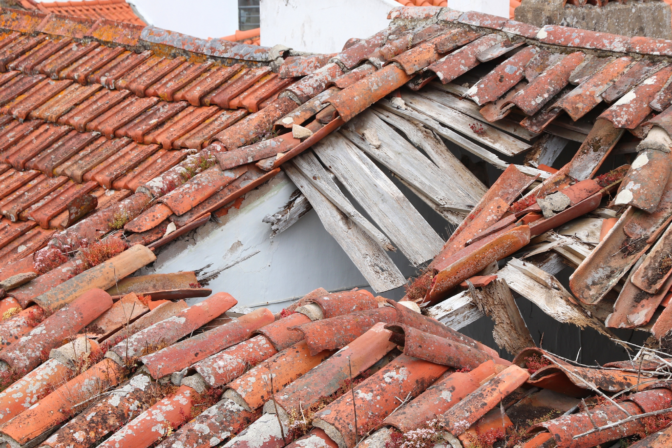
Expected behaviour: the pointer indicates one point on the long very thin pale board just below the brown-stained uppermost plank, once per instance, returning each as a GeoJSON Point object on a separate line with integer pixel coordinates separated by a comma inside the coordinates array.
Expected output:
{"type": "Point", "coordinates": [457, 139]}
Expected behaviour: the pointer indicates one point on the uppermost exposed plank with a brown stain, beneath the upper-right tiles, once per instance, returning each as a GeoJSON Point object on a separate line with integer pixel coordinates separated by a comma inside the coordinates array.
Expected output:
{"type": "Point", "coordinates": [483, 133]}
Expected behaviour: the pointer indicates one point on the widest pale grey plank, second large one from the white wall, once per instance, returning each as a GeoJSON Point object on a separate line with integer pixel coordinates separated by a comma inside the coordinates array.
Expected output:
{"type": "Point", "coordinates": [381, 199]}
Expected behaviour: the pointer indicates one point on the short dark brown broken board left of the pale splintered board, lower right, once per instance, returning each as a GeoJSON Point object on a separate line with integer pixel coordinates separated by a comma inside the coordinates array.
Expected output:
{"type": "Point", "coordinates": [496, 301]}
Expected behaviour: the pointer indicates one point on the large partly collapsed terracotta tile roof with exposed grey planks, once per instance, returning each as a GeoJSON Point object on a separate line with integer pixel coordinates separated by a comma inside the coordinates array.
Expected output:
{"type": "Point", "coordinates": [118, 139]}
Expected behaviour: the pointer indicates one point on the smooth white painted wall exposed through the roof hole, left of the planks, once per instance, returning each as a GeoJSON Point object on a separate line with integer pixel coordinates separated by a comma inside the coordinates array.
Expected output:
{"type": "Point", "coordinates": [260, 269]}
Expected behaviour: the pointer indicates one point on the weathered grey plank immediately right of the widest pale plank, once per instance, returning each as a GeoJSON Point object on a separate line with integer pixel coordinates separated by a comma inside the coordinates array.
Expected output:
{"type": "Point", "coordinates": [382, 143]}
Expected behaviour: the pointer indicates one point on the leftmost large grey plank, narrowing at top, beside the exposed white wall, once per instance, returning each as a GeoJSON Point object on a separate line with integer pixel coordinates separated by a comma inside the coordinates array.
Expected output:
{"type": "Point", "coordinates": [371, 260]}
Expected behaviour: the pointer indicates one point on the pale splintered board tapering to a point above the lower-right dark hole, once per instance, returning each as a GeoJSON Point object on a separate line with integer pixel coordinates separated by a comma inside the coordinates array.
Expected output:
{"type": "Point", "coordinates": [545, 291]}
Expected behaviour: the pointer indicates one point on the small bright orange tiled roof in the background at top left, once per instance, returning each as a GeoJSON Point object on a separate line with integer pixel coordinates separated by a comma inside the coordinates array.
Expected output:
{"type": "Point", "coordinates": [118, 10]}
